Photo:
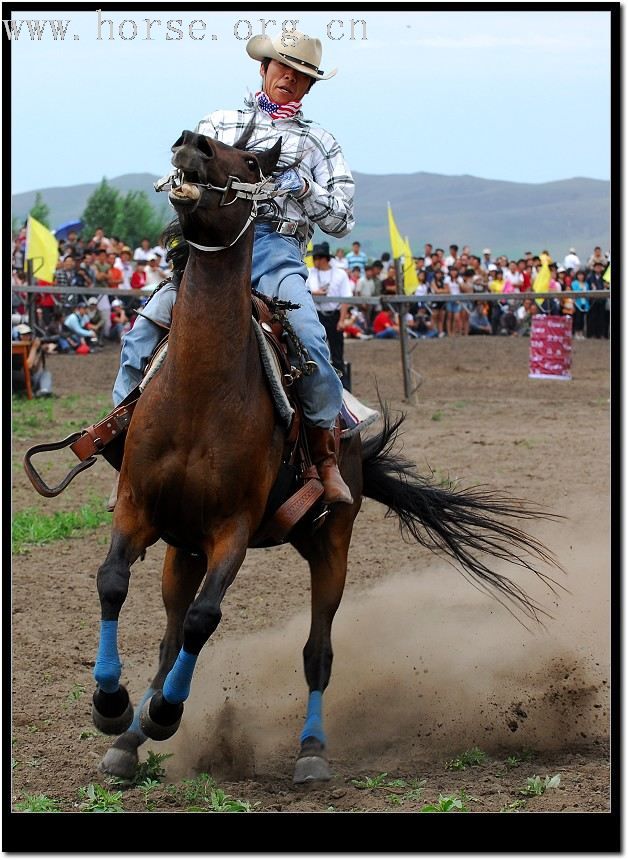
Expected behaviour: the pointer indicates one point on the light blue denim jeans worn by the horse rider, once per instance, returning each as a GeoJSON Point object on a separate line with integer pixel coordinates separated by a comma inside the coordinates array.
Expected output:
{"type": "Point", "coordinates": [278, 271]}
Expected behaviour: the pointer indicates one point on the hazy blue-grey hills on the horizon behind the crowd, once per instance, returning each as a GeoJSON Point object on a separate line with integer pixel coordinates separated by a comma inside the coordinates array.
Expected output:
{"type": "Point", "coordinates": [508, 217]}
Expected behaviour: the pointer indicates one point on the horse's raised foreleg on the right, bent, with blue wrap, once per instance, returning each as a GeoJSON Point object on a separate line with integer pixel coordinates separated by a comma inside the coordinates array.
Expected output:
{"type": "Point", "coordinates": [161, 713]}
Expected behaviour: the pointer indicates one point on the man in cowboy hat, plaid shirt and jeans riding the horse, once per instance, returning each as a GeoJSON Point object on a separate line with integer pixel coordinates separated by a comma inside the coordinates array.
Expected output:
{"type": "Point", "coordinates": [316, 189]}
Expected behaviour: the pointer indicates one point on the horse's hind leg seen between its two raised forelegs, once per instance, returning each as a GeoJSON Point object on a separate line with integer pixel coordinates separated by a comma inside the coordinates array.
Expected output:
{"type": "Point", "coordinates": [181, 577]}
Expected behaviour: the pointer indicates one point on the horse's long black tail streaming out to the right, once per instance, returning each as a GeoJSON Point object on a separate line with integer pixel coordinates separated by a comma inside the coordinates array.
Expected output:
{"type": "Point", "coordinates": [461, 523]}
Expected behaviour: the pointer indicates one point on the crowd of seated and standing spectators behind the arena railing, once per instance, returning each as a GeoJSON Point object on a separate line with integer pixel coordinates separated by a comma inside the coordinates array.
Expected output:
{"type": "Point", "coordinates": [83, 323]}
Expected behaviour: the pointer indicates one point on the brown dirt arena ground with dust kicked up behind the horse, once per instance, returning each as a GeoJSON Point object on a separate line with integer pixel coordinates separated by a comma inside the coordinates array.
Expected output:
{"type": "Point", "coordinates": [425, 666]}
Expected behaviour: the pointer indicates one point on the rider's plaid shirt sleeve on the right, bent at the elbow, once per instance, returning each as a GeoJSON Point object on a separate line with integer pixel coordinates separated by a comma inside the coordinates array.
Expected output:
{"type": "Point", "coordinates": [328, 202]}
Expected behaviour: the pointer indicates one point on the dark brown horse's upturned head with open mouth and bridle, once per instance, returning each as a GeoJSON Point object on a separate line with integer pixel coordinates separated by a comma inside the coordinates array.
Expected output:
{"type": "Point", "coordinates": [216, 187]}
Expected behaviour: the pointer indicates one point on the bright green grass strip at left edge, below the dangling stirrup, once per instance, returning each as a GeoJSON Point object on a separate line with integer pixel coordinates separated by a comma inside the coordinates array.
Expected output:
{"type": "Point", "coordinates": [32, 528]}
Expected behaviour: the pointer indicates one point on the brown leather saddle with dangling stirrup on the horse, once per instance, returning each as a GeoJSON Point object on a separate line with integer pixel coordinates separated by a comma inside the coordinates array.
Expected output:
{"type": "Point", "coordinates": [297, 491]}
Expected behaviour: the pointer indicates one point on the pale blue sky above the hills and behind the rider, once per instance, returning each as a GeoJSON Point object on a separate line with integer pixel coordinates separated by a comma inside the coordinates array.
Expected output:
{"type": "Point", "coordinates": [522, 96]}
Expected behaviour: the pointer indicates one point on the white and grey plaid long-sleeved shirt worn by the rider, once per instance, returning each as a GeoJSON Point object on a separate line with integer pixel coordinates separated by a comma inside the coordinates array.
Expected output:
{"type": "Point", "coordinates": [329, 201]}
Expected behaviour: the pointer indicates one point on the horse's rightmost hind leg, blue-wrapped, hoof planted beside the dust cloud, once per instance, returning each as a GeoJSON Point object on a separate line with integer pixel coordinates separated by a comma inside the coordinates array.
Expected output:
{"type": "Point", "coordinates": [328, 567]}
